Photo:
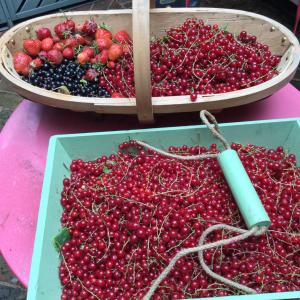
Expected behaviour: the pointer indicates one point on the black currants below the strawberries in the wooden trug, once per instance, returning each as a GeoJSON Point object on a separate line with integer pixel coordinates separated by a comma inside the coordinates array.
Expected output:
{"type": "Point", "coordinates": [68, 74]}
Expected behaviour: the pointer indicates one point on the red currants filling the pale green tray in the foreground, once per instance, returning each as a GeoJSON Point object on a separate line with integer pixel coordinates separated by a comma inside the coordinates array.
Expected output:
{"type": "Point", "coordinates": [129, 214]}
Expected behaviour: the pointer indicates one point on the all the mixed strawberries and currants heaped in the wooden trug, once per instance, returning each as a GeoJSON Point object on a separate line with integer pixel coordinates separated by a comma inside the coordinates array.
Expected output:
{"type": "Point", "coordinates": [190, 59]}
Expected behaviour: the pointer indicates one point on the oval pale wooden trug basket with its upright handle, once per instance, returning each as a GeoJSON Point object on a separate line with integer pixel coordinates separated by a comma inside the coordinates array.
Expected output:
{"type": "Point", "coordinates": [142, 22]}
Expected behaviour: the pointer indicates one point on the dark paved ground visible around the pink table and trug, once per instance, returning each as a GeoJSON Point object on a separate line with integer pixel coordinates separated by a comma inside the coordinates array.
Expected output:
{"type": "Point", "coordinates": [280, 10]}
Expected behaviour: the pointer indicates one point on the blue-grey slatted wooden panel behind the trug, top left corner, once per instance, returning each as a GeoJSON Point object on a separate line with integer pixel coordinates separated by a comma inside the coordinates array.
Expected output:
{"type": "Point", "coordinates": [28, 8]}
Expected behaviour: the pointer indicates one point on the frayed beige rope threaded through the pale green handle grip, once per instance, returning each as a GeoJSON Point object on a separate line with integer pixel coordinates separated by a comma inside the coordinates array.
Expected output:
{"type": "Point", "coordinates": [243, 233]}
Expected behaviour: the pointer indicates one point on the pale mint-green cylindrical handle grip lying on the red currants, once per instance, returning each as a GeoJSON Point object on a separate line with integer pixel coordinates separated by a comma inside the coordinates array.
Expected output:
{"type": "Point", "coordinates": [249, 204]}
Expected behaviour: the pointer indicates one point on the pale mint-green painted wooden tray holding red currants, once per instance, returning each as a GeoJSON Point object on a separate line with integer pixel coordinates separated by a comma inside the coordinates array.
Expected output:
{"type": "Point", "coordinates": [44, 282]}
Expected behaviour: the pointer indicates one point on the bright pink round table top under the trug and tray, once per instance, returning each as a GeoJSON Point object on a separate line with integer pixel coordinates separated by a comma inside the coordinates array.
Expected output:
{"type": "Point", "coordinates": [23, 150]}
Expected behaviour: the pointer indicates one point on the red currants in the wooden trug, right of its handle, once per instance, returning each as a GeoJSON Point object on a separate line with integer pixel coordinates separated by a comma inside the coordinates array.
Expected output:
{"type": "Point", "coordinates": [203, 59]}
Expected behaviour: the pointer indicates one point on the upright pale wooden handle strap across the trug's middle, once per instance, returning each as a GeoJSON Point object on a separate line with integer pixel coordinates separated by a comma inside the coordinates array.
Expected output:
{"type": "Point", "coordinates": [141, 59]}
